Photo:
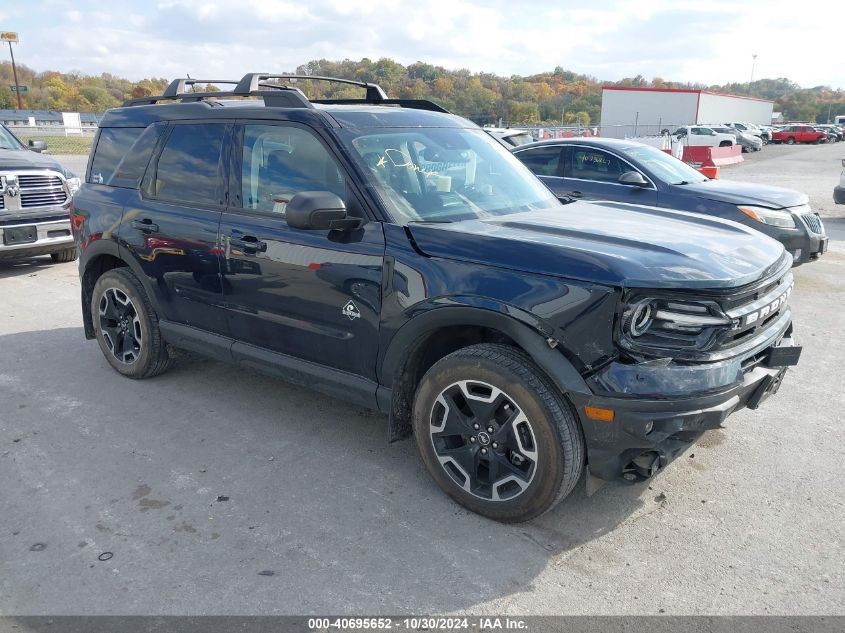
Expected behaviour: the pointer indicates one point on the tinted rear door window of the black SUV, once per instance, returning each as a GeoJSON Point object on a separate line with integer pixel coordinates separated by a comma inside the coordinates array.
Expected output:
{"type": "Point", "coordinates": [189, 168]}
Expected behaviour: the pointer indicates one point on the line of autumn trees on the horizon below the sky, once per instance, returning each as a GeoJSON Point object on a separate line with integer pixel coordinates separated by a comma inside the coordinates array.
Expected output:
{"type": "Point", "coordinates": [551, 98]}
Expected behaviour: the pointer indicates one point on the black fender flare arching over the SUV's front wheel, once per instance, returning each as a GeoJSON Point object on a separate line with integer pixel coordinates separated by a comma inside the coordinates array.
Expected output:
{"type": "Point", "coordinates": [533, 335]}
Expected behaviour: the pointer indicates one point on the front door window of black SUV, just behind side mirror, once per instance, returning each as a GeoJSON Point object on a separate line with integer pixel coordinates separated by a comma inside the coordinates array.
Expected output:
{"type": "Point", "coordinates": [280, 161]}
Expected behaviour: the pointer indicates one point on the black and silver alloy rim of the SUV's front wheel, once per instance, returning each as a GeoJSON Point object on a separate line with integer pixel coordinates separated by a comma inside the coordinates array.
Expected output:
{"type": "Point", "coordinates": [483, 440]}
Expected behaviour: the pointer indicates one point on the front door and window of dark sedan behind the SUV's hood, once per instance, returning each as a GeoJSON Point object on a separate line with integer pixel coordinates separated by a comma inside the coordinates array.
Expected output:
{"type": "Point", "coordinates": [593, 174]}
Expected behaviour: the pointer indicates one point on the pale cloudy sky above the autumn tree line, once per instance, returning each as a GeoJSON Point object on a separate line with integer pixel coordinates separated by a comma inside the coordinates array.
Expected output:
{"type": "Point", "coordinates": [691, 41]}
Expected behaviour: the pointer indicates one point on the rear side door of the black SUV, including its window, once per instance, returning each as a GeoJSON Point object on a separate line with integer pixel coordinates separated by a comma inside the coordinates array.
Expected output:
{"type": "Point", "coordinates": [170, 226]}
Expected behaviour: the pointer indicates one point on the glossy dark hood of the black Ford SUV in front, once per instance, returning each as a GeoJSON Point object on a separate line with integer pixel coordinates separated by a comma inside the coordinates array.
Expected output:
{"type": "Point", "coordinates": [611, 243]}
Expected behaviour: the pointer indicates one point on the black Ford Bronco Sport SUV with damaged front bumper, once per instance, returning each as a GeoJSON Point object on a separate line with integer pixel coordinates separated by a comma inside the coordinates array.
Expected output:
{"type": "Point", "coordinates": [394, 255]}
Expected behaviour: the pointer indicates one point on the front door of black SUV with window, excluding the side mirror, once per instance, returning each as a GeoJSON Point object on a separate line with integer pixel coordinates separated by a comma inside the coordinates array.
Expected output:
{"type": "Point", "coordinates": [312, 295]}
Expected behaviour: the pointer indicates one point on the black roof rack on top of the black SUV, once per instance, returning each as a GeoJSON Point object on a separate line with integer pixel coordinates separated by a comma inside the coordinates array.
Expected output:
{"type": "Point", "coordinates": [277, 95]}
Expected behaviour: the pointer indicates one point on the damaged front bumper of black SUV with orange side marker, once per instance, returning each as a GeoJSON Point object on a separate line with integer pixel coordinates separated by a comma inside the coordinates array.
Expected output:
{"type": "Point", "coordinates": [655, 417]}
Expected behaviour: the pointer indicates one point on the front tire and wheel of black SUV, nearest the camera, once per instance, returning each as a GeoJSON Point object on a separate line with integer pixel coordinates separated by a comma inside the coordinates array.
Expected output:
{"type": "Point", "coordinates": [496, 435]}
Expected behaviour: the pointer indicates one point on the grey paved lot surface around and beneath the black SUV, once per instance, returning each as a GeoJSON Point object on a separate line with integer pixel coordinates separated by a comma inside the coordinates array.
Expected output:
{"type": "Point", "coordinates": [203, 478]}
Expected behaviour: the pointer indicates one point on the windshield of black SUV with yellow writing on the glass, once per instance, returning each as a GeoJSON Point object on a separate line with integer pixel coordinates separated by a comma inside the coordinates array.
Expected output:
{"type": "Point", "coordinates": [445, 174]}
